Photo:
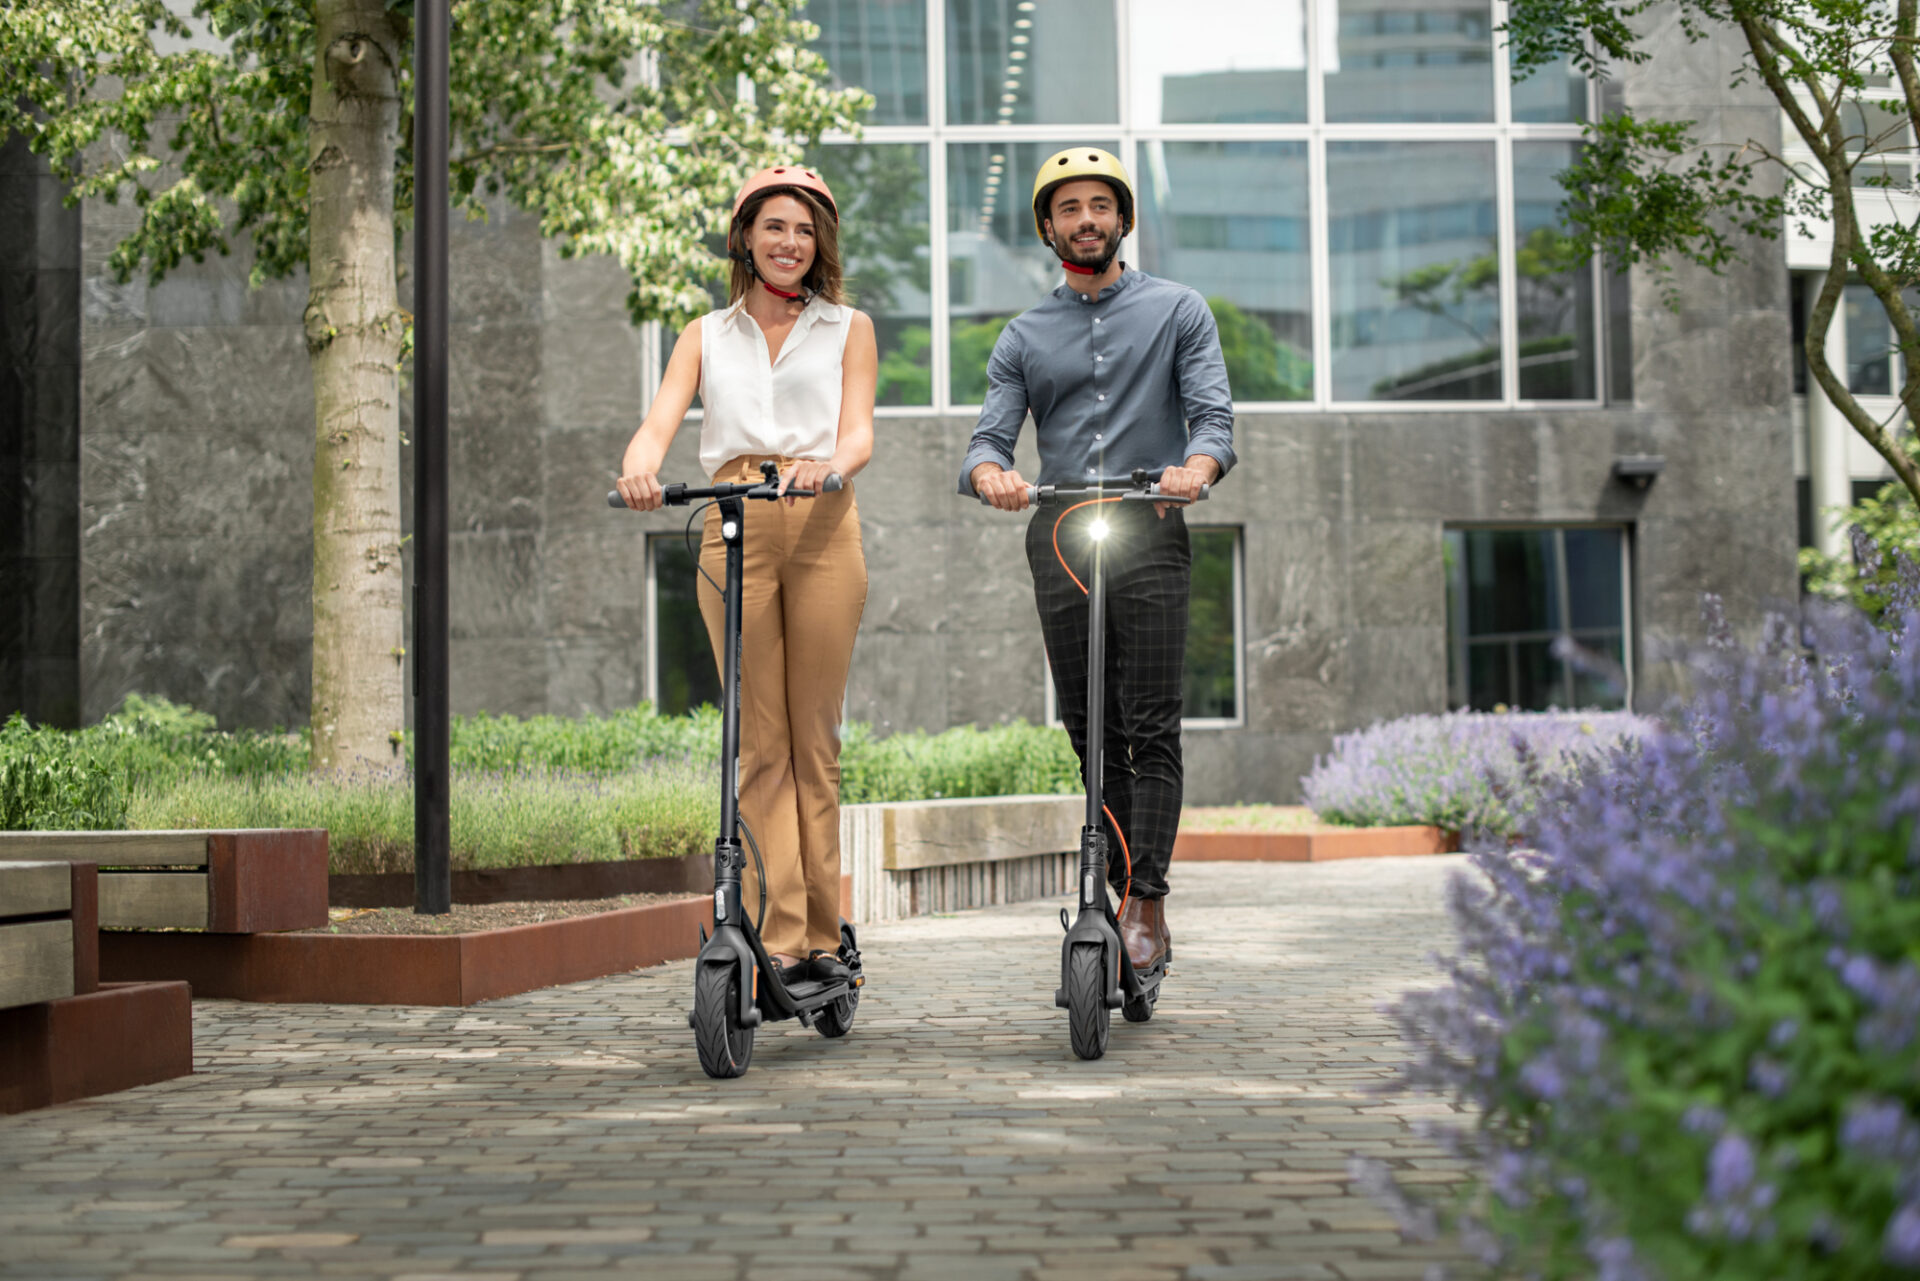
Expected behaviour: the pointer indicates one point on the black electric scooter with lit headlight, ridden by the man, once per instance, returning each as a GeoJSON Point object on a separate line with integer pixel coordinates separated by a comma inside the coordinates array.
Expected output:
{"type": "Point", "coordinates": [1095, 973]}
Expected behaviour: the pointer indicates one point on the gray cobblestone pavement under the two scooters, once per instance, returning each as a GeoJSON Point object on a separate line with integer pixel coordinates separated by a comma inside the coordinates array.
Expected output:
{"type": "Point", "coordinates": [953, 1134]}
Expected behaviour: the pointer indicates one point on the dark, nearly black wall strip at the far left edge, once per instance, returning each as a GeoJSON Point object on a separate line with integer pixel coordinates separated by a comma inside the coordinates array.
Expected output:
{"type": "Point", "coordinates": [39, 445]}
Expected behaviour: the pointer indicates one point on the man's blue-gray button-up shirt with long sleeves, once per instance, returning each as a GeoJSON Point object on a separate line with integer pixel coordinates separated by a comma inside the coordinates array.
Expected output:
{"type": "Point", "coordinates": [1128, 379]}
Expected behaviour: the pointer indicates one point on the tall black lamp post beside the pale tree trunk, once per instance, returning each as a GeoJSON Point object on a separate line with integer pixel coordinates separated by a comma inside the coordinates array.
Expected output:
{"type": "Point", "coordinates": [433, 881]}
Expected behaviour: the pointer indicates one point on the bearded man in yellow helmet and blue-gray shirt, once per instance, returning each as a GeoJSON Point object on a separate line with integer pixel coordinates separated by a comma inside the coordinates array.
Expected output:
{"type": "Point", "coordinates": [1120, 372]}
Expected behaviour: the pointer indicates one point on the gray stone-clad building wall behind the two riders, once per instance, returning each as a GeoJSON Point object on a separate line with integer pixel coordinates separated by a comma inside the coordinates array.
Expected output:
{"type": "Point", "coordinates": [199, 498]}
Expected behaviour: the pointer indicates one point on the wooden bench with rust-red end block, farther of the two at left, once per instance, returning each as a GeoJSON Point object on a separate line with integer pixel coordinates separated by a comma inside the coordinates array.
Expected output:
{"type": "Point", "coordinates": [222, 882]}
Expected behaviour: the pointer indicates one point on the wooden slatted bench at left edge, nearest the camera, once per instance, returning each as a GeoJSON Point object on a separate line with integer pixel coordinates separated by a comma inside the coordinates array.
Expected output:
{"type": "Point", "coordinates": [49, 938]}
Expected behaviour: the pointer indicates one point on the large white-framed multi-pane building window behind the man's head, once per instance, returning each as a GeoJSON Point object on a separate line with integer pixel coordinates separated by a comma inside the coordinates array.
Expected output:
{"type": "Point", "coordinates": [1360, 189]}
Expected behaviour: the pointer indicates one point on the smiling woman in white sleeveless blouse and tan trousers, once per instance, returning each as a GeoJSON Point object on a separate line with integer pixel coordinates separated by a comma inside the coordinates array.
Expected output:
{"type": "Point", "coordinates": [784, 374]}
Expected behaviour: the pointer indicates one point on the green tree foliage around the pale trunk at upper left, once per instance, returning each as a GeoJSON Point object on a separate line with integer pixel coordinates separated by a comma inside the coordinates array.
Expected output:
{"type": "Point", "coordinates": [544, 109]}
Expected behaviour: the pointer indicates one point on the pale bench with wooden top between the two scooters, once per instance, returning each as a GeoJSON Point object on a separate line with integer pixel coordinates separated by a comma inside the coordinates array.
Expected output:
{"type": "Point", "coordinates": [949, 856]}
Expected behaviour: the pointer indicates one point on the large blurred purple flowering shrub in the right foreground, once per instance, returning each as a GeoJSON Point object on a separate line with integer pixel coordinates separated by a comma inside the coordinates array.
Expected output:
{"type": "Point", "coordinates": [1687, 1015]}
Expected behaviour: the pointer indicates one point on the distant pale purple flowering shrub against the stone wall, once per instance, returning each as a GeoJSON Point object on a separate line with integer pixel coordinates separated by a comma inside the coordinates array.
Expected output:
{"type": "Point", "coordinates": [1462, 771]}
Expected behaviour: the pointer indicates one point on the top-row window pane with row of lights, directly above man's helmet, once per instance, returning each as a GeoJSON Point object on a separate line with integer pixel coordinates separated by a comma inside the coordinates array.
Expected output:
{"type": "Point", "coordinates": [1032, 62]}
